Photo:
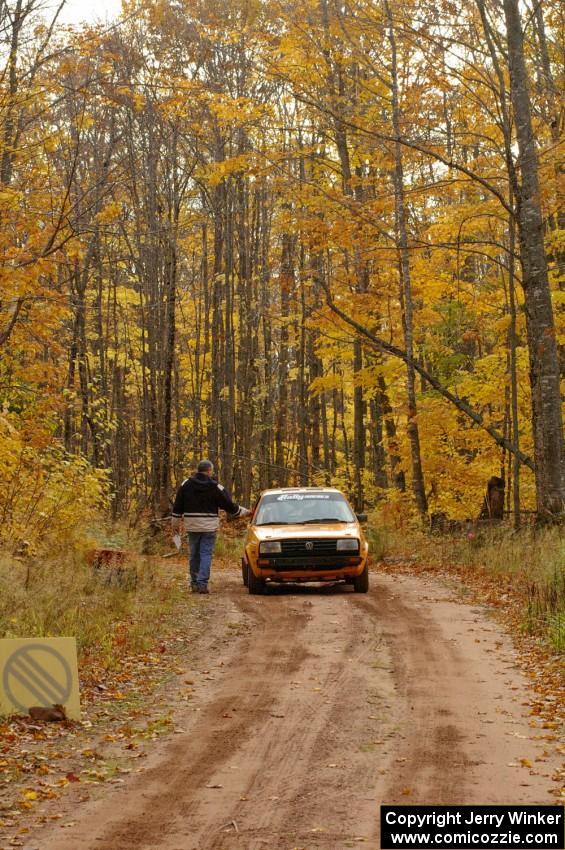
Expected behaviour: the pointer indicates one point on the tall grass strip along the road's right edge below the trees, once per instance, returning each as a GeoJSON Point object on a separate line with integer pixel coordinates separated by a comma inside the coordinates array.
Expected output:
{"type": "Point", "coordinates": [524, 570]}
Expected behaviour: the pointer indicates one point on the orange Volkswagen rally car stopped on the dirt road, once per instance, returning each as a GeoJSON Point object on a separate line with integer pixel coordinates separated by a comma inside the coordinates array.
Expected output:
{"type": "Point", "coordinates": [302, 534]}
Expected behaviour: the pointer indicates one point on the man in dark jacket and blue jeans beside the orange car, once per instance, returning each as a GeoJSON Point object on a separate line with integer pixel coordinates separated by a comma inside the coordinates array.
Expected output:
{"type": "Point", "coordinates": [198, 500]}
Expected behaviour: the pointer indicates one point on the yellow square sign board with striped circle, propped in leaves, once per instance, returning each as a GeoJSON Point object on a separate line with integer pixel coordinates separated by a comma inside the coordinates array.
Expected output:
{"type": "Point", "coordinates": [39, 671]}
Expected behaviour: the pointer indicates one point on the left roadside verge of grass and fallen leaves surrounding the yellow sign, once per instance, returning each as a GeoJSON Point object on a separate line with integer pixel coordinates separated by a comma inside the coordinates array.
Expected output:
{"type": "Point", "coordinates": [135, 643]}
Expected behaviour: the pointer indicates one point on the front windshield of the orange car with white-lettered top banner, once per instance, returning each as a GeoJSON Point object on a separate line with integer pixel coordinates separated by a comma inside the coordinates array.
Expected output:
{"type": "Point", "coordinates": [290, 508]}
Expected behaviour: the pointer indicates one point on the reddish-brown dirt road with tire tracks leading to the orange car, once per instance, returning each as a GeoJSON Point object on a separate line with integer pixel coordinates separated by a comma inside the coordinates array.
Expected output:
{"type": "Point", "coordinates": [321, 706]}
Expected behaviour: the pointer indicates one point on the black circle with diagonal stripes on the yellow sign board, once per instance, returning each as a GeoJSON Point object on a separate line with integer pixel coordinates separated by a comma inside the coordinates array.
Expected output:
{"type": "Point", "coordinates": [25, 667]}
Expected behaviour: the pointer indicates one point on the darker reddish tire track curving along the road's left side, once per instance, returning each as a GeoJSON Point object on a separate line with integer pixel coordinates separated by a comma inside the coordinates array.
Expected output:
{"type": "Point", "coordinates": [165, 800]}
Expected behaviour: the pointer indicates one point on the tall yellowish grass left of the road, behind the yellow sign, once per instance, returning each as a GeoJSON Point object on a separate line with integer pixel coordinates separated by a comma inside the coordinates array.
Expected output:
{"type": "Point", "coordinates": [110, 613]}
